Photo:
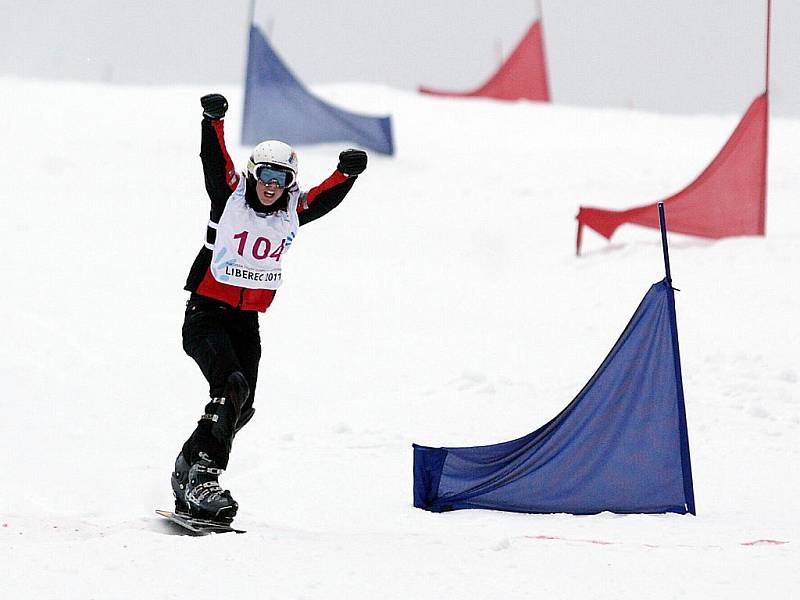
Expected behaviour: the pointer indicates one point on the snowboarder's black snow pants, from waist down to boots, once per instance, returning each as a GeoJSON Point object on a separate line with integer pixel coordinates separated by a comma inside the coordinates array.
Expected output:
{"type": "Point", "coordinates": [222, 340]}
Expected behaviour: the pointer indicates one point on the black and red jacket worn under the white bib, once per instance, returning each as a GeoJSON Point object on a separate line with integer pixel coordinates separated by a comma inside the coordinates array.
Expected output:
{"type": "Point", "coordinates": [221, 179]}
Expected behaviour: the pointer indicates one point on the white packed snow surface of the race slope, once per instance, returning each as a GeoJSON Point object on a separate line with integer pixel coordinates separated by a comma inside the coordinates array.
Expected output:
{"type": "Point", "coordinates": [442, 303]}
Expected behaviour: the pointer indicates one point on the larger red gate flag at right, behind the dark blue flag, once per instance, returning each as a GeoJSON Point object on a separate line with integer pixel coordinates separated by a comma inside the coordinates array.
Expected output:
{"type": "Point", "coordinates": [727, 199]}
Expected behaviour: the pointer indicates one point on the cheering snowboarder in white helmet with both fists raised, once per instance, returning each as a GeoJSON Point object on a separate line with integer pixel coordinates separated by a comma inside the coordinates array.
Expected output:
{"type": "Point", "coordinates": [254, 219]}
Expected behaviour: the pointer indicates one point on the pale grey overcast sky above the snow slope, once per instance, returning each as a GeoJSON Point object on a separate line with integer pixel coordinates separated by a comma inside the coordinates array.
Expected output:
{"type": "Point", "coordinates": [676, 55]}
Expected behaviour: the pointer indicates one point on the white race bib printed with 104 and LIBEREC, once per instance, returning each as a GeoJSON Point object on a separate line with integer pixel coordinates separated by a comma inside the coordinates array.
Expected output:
{"type": "Point", "coordinates": [249, 247]}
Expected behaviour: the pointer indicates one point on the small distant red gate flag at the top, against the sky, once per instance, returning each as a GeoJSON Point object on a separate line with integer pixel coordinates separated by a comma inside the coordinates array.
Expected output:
{"type": "Point", "coordinates": [522, 77]}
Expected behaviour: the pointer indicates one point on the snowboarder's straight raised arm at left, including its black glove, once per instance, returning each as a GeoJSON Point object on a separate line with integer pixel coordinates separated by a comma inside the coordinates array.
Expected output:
{"type": "Point", "coordinates": [220, 175]}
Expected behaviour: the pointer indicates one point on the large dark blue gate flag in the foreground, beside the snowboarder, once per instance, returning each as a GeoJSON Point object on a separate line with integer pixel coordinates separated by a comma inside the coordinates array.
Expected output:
{"type": "Point", "coordinates": [621, 445]}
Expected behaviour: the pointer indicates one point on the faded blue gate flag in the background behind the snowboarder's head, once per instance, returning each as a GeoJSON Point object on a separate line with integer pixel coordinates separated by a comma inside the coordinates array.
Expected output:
{"type": "Point", "coordinates": [278, 107]}
